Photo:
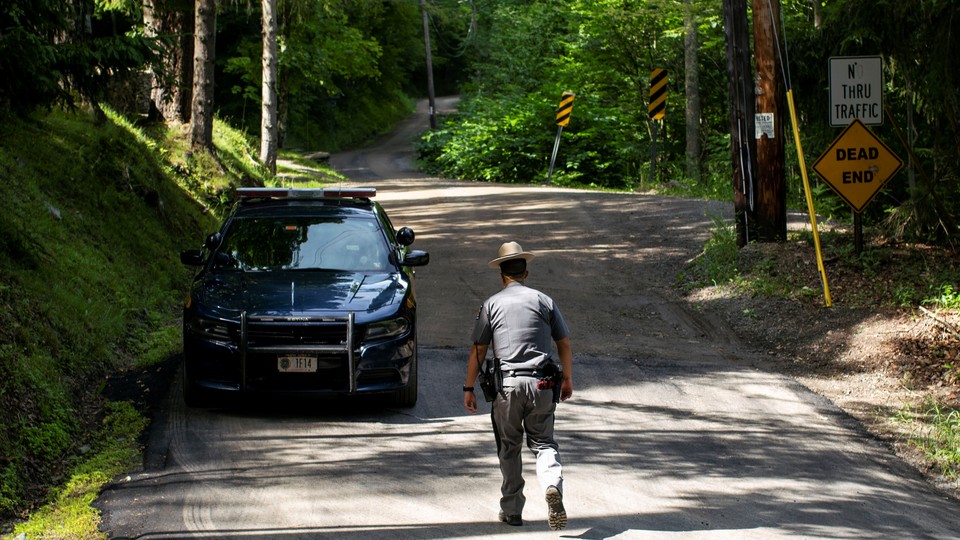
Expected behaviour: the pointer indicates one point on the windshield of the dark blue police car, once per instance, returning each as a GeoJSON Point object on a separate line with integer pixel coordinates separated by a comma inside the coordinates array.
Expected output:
{"type": "Point", "coordinates": [303, 243]}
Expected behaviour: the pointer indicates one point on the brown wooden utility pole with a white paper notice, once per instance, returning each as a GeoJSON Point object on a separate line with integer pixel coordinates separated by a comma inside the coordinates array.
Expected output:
{"type": "Point", "coordinates": [771, 208]}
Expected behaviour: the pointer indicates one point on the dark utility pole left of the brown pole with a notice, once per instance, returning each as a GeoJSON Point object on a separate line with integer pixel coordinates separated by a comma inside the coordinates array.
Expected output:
{"type": "Point", "coordinates": [742, 127]}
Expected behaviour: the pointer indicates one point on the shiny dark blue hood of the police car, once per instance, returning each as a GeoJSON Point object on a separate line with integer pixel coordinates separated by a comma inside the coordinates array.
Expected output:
{"type": "Point", "coordinates": [299, 292]}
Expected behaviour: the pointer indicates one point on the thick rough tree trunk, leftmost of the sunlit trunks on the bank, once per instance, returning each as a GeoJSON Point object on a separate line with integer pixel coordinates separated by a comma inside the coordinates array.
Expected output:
{"type": "Point", "coordinates": [171, 90]}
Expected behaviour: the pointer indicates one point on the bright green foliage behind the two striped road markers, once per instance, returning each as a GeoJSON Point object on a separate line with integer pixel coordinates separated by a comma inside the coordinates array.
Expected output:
{"type": "Point", "coordinates": [603, 51]}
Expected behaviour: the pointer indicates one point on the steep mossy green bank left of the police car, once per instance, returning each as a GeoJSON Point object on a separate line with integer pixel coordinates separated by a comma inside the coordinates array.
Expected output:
{"type": "Point", "coordinates": [93, 220]}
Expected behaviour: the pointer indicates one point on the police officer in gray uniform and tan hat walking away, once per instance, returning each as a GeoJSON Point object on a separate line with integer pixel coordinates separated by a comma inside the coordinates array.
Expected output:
{"type": "Point", "coordinates": [521, 322]}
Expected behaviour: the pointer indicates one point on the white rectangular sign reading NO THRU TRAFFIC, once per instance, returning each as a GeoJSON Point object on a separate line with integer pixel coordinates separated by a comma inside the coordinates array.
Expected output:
{"type": "Point", "coordinates": [856, 90]}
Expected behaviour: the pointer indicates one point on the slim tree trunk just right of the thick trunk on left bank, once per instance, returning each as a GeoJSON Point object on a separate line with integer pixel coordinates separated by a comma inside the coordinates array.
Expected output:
{"type": "Point", "coordinates": [201, 118]}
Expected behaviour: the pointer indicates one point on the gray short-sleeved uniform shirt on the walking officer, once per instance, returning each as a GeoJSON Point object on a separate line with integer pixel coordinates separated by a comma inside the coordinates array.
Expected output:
{"type": "Point", "coordinates": [522, 323]}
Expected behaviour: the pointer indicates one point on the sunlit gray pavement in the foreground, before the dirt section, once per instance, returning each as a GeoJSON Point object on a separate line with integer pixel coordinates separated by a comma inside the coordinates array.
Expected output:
{"type": "Point", "coordinates": [671, 445]}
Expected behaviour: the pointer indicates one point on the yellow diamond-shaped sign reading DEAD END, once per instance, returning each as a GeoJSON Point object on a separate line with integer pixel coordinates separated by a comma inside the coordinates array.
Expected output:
{"type": "Point", "coordinates": [857, 165]}
